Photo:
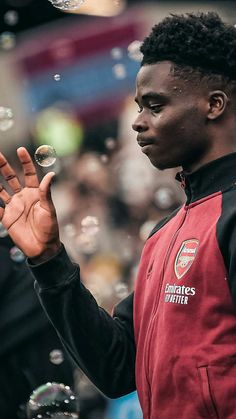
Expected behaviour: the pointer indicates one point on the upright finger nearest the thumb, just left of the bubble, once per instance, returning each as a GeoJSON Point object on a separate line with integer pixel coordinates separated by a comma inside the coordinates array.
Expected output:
{"type": "Point", "coordinates": [31, 178]}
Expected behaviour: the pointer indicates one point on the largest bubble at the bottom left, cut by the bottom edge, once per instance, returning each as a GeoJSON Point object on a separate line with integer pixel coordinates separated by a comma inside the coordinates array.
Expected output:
{"type": "Point", "coordinates": [52, 400]}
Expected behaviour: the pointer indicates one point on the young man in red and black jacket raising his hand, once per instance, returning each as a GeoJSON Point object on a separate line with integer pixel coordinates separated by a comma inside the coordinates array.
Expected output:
{"type": "Point", "coordinates": [174, 339]}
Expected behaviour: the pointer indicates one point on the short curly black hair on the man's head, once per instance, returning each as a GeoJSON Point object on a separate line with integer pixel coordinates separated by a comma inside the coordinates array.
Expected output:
{"type": "Point", "coordinates": [195, 43]}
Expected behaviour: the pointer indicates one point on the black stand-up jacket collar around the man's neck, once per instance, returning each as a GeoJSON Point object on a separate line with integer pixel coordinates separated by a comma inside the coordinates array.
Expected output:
{"type": "Point", "coordinates": [213, 177]}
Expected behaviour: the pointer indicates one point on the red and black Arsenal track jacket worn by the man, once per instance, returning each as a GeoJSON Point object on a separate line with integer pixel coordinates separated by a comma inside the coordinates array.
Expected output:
{"type": "Point", "coordinates": [174, 339]}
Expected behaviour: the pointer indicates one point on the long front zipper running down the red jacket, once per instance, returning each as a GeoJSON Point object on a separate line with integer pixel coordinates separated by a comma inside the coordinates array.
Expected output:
{"type": "Point", "coordinates": [151, 324]}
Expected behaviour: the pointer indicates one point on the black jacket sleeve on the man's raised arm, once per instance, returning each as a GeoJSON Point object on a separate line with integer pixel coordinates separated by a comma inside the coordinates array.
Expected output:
{"type": "Point", "coordinates": [102, 345]}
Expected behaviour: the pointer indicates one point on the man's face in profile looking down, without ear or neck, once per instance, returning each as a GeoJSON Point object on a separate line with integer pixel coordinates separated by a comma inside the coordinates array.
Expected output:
{"type": "Point", "coordinates": [172, 122]}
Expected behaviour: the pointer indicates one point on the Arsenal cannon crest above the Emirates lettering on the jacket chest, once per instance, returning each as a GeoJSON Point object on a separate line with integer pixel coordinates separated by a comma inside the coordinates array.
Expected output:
{"type": "Point", "coordinates": [185, 257]}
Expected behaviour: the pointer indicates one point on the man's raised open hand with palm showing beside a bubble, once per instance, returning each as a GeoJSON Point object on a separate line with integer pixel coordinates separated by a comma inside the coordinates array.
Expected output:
{"type": "Point", "coordinates": [29, 214]}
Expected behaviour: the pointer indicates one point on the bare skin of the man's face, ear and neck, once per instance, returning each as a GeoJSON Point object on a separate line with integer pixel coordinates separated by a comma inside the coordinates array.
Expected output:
{"type": "Point", "coordinates": [182, 124]}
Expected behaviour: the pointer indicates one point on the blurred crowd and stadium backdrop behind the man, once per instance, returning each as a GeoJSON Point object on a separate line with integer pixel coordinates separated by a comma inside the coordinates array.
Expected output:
{"type": "Point", "coordinates": [67, 79]}
